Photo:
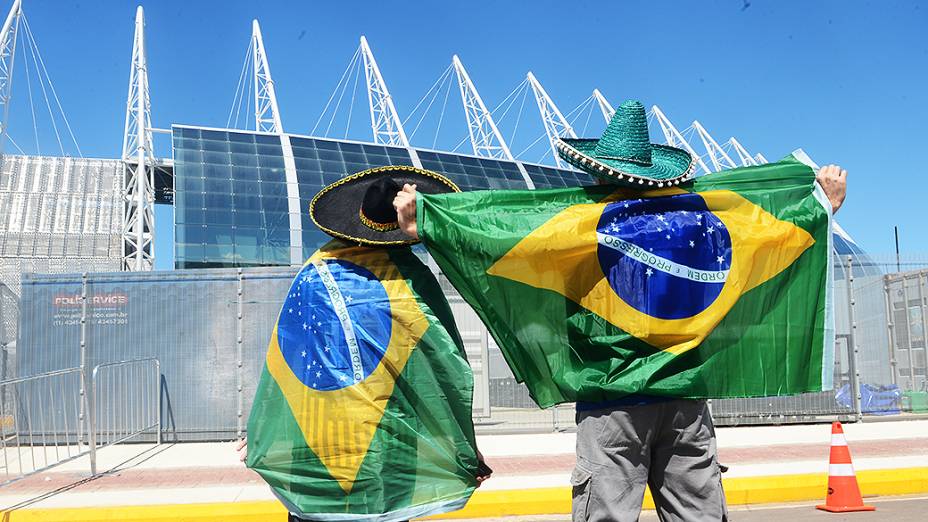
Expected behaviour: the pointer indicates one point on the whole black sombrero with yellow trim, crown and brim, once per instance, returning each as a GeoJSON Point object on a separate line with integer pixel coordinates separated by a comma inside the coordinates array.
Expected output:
{"type": "Point", "coordinates": [359, 207]}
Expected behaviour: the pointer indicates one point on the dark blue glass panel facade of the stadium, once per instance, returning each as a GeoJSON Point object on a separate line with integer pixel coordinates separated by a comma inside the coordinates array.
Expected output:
{"type": "Point", "coordinates": [231, 206]}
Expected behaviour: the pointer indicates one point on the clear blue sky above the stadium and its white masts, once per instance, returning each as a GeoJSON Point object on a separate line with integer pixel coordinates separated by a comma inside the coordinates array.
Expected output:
{"type": "Point", "coordinates": [844, 80]}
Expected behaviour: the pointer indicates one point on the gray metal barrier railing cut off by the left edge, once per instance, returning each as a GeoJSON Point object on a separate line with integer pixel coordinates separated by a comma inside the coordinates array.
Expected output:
{"type": "Point", "coordinates": [40, 422]}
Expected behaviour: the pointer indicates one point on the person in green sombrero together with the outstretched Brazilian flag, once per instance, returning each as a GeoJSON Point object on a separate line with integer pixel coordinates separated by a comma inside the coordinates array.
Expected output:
{"type": "Point", "coordinates": [650, 293]}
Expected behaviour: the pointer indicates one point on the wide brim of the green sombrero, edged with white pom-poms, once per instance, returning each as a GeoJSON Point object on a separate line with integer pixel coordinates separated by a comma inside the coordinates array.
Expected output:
{"type": "Point", "coordinates": [669, 165]}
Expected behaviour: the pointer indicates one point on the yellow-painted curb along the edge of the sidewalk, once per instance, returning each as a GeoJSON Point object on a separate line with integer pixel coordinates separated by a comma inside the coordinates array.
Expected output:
{"type": "Point", "coordinates": [499, 503]}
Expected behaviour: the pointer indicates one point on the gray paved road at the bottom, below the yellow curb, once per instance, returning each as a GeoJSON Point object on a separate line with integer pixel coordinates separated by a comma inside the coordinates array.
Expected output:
{"type": "Point", "coordinates": [897, 509]}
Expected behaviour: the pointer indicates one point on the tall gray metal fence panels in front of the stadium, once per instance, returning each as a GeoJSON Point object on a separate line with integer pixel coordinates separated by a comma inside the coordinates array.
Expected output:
{"type": "Point", "coordinates": [209, 330]}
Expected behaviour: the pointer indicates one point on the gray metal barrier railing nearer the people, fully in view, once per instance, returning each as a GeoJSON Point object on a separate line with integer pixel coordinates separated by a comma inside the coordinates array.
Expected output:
{"type": "Point", "coordinates": [125, 402]}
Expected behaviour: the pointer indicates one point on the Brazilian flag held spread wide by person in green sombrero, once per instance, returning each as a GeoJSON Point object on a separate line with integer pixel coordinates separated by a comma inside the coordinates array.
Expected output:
{"type": "Point", "coordinates": [720, 288]}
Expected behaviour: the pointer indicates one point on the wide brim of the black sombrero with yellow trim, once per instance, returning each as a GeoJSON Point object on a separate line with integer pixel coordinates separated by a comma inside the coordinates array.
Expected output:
{"type": "Point", "coordinates": [336, 208]}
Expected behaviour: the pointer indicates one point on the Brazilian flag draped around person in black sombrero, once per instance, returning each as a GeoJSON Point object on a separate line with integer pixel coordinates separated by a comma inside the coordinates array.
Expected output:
{"type": "Point", "coordinates": [363, 411]}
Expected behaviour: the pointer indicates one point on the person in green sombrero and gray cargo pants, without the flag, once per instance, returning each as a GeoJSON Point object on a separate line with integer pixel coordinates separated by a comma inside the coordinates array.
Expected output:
{"type": "Point", "coordinates": [625, 444]}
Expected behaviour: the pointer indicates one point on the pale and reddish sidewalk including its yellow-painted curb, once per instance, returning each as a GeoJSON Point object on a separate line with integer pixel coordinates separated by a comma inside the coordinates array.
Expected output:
{"type": "Point", "coordinates": [205, 481]}
